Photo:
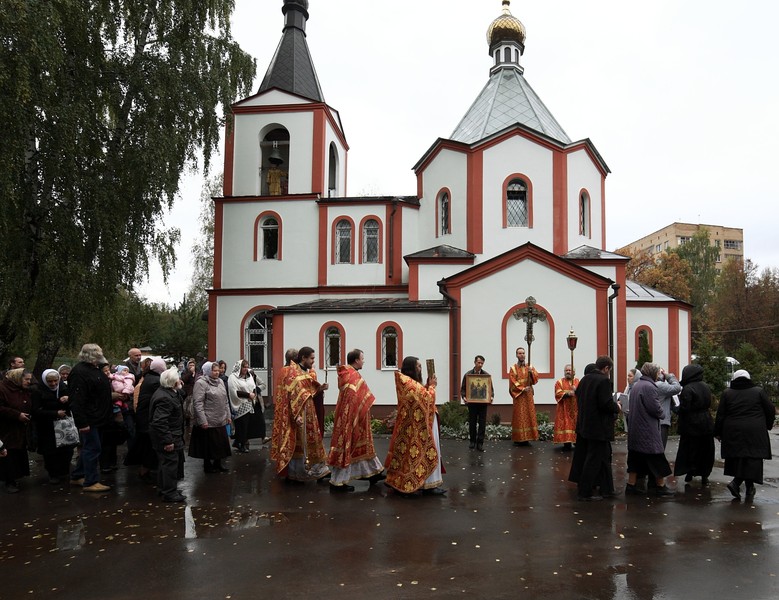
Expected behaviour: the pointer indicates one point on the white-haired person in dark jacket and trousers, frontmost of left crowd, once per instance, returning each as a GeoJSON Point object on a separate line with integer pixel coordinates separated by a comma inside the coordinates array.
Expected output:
{"type": "Point", "coordinates": [166, 430]}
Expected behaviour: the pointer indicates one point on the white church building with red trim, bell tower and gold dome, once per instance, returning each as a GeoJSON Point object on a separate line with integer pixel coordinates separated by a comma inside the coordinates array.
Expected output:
{"type": "Point", "coordinates": [506, 208]}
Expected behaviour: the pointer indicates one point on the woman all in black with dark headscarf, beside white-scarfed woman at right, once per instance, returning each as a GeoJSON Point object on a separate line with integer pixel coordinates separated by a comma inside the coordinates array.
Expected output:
{"type": "Point", "coordinates": [695, 457]}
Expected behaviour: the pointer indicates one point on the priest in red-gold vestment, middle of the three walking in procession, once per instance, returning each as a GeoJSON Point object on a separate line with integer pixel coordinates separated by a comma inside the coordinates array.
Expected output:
{"type": "Point", "coordinates": [352, 455]}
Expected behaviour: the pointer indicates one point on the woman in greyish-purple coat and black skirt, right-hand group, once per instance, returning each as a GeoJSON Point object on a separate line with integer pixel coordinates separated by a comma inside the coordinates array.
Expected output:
{"type": "Point", "coordinates": [645, 442]}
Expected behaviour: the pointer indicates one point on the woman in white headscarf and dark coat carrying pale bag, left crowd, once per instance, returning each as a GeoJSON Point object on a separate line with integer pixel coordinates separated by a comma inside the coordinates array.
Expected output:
{"type": "Point", "coordinates": [50, 402]}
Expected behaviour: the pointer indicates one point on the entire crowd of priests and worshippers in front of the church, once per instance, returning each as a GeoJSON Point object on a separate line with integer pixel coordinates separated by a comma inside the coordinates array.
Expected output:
{"type": "Point", "coordinates": [94, 408]}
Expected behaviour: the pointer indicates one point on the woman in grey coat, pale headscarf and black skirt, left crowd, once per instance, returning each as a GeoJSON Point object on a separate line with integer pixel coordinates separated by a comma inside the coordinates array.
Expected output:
{"type": "Point", "coordinates": [209, 439]}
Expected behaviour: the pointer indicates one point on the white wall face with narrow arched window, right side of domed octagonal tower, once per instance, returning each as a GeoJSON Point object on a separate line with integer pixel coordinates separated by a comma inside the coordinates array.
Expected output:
{"type": "Point", "coordinates": [582, 174]}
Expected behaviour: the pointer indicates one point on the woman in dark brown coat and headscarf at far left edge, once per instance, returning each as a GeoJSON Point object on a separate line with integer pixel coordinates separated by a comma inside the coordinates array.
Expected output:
{"type": "Point", "coordinates": [15, 410]}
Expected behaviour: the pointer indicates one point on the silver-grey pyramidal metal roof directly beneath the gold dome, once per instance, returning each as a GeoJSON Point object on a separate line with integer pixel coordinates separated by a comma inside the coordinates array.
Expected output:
{"type": "Point", "coordinates": [507, 99]}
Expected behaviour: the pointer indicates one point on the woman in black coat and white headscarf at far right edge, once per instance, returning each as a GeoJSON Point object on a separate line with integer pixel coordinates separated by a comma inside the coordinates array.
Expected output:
{"type": "Point", "coordinates": [744, 417]}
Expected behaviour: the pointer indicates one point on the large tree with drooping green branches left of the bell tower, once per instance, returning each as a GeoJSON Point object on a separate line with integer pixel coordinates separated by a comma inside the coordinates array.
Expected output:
{"type": "Point", "coordinates": [103, 105]}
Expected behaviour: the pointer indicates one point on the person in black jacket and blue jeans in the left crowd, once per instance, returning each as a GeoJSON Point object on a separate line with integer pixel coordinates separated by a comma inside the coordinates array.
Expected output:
{"type": "Point", "coordinates": [90, 397]}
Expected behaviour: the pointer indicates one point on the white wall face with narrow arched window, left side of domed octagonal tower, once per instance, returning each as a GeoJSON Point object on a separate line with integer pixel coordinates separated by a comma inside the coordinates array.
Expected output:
{"type": "Point", "coordinates": [448, 170]}
